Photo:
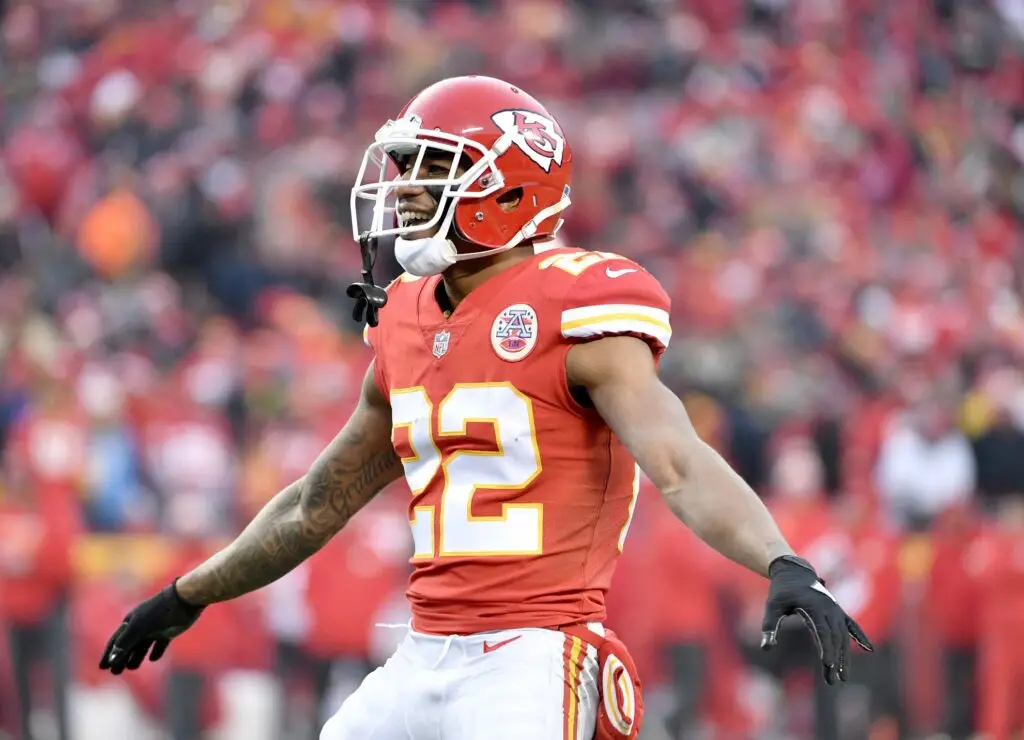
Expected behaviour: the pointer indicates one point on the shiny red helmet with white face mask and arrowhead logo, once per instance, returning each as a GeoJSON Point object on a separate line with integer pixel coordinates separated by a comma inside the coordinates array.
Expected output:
{"type": "Point", "coordinates": [509, 141]}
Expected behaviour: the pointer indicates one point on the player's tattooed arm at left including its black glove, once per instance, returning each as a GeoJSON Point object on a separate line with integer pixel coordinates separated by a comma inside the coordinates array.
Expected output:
{"type": "Point", "coordinates": [291, 528]}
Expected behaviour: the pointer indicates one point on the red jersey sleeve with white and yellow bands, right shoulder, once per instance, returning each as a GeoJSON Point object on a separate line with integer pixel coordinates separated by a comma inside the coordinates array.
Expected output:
{"type": "Point", "coordinates": [615, 298]}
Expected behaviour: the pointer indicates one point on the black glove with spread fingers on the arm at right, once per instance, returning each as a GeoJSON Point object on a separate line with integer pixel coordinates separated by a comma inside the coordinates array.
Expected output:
{"type": "Point", "coordinates": [796, 589]}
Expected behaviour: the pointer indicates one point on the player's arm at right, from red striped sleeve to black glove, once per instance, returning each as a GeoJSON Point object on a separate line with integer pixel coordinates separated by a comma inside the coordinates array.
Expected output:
{"type": "Point", "coordinates": [618, 320]}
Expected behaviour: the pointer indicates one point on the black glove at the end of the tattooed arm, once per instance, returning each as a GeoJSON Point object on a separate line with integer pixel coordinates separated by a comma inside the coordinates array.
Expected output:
{"type": "Point", "coordinates": [152, 625]}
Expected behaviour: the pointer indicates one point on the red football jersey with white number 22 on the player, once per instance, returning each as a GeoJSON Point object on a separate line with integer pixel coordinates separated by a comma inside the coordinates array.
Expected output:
{"type": "Point", "coordinates": [522, 497]}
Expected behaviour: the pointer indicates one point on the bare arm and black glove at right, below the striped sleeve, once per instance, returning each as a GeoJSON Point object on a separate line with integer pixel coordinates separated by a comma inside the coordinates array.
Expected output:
{"type": "Point", "coordinates": [620, 375]}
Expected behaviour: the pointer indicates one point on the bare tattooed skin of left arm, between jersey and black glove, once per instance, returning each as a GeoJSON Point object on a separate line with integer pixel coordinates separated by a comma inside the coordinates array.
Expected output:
{"type": "Point", "coordinates": [305, 516]}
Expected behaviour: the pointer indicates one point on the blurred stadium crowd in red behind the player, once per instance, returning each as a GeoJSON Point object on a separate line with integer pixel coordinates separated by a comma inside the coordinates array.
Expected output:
{"type": "Point", "coordinates": [831, 191]}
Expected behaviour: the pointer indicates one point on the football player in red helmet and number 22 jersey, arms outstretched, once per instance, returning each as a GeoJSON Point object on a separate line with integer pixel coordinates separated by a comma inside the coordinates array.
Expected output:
{"type": "Point", "coordinates": [517, 389]}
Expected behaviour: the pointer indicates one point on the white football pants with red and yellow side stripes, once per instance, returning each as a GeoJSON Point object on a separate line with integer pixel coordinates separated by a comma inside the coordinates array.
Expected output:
{"type": "Point", "coordinates": [508, 685]}
